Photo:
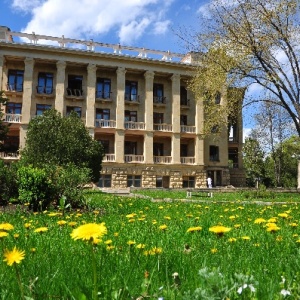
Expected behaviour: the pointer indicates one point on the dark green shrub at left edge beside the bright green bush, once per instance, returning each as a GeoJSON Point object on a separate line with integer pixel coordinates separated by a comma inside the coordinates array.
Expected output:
{"type": "Point", "coordinates": [8, 182]}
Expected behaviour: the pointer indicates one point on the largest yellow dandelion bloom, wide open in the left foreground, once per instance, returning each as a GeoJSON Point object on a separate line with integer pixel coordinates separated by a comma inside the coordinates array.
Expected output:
{"type": "Point", "coordinates": [89, 231]}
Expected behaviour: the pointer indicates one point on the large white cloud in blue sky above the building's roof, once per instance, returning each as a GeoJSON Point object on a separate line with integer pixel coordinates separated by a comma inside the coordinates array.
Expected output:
{"type": "Point", "coordinates": [129, 19]}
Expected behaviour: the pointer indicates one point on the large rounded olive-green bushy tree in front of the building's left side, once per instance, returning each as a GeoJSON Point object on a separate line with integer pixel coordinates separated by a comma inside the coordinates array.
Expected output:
{"type": "Point", "coordinates": [56, 140]}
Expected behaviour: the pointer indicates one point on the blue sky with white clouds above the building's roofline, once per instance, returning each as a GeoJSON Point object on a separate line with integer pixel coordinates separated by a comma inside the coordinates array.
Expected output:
{"type": "Point", "coordinates": [141, 23]}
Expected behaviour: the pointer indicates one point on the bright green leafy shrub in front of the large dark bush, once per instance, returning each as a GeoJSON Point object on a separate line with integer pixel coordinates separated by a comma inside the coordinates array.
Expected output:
{"type": "Point", "coordinates": [35, 187]}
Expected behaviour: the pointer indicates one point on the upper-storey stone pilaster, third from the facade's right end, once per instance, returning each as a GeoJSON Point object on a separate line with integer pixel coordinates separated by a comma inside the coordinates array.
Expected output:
{"type": "Point", "coordinates": [149, 76]}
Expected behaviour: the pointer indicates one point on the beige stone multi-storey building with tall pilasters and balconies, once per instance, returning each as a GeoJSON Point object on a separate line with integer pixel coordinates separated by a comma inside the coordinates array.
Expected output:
{"type": "Point", "coordinates": [134, 101]}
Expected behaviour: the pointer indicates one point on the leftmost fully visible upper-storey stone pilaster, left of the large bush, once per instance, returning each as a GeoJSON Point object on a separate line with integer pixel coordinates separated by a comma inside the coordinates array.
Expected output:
{"type": "Point", "coordinates": [27, 90]}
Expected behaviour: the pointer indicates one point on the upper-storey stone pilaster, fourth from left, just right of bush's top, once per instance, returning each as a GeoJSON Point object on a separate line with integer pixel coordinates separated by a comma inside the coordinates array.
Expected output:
{"type": "Point", "coordinates": [91, 92]}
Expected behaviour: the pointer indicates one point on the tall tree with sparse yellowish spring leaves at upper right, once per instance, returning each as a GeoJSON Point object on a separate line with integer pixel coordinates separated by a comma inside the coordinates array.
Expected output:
{"type": "Point", "coordinates": [246, 42]}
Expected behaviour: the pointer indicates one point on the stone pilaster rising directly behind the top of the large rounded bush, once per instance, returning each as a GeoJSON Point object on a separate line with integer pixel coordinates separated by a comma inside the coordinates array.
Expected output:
{"type": "Point", "coordinates": [60, 86]}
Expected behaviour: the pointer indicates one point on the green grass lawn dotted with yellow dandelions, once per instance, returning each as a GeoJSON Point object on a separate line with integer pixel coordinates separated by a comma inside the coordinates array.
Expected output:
{"type": "Point", "coordinates": [154, 250]}
